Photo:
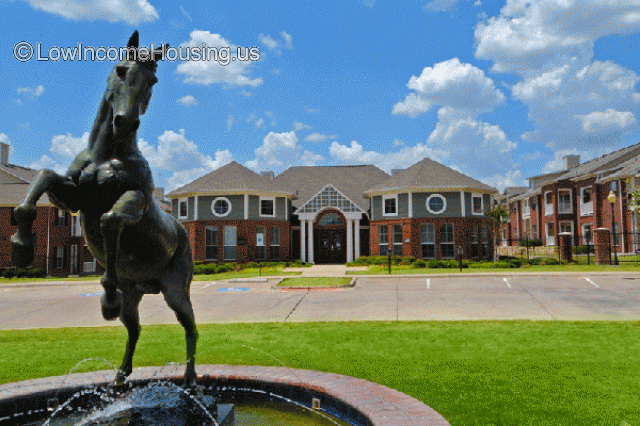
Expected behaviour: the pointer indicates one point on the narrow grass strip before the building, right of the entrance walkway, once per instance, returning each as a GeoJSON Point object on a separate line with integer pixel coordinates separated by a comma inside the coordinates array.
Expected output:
{"type": "Point", "coordinates": [406, 269]}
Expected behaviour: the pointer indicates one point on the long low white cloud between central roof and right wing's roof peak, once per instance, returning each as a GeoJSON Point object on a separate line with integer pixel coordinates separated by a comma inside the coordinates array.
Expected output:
{"type": "Point", "coordinates": [407, 156]}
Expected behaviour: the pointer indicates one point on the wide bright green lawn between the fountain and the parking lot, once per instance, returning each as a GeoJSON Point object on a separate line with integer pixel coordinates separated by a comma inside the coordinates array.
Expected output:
{"type": "Point", "coordinates": [474, 373]}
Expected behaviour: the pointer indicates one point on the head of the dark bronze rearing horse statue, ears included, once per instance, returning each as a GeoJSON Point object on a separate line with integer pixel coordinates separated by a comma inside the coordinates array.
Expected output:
{"type": "Point", "coordinates": [129, 88]}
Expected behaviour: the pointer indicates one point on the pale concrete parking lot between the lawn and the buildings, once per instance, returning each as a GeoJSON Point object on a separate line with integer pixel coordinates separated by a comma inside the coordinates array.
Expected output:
{"type": "Point", "coordinates": [537, 297]}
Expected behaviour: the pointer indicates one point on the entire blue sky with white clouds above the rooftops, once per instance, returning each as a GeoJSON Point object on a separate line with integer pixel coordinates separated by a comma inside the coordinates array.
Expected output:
{"type": "Point", "coordinates": [500, 91]}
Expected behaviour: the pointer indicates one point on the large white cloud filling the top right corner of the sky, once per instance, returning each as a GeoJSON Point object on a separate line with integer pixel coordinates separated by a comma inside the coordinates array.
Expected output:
{"type": "Point", "coordinates": [535, 34]}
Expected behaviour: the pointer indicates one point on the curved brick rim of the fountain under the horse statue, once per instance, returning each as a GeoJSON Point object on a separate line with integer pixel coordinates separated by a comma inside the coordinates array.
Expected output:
{"type": "Point", "coordinates": [355, 401]}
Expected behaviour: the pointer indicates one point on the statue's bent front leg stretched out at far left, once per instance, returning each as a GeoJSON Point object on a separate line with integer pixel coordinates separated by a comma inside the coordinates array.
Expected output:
{"type": "Point", "coordinates": [23, 242]}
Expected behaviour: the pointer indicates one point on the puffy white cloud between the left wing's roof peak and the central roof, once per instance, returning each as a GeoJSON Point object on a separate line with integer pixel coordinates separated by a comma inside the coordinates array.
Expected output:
{"type": "Point", "coordinates": [281, 150]}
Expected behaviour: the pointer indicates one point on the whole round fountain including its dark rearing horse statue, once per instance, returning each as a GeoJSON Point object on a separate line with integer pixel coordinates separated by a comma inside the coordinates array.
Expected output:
{"type": "Point", "coordinates": [146, 251]}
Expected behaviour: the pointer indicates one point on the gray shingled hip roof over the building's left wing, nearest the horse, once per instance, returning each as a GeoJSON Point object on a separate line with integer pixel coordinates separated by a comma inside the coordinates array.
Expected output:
{"type": "Point", "coordinates": [231, 178]}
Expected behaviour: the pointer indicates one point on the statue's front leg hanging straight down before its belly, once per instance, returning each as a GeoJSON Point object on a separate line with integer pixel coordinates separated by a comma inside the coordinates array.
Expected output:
{"type": "Point", "coordinates": [128, 210]}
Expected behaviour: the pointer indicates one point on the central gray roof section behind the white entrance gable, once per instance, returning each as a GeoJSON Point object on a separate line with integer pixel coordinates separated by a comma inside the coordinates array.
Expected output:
{"type": "Point", "coordinates": [351, 181]}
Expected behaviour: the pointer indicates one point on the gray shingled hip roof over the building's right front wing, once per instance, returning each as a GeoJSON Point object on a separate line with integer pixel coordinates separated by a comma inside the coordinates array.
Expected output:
{"type": "Point", "coordinates": [429, 175]}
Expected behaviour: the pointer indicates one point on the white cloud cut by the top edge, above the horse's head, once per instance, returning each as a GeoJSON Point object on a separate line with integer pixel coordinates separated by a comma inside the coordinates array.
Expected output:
{"type": "Point", "coordinates": [132, 12]}
